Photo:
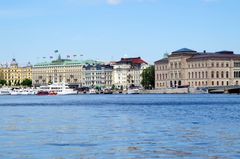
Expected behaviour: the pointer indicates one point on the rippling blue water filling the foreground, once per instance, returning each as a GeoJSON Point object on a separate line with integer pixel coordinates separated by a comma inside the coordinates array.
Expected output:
{"type": "Point", "coordinates": [120, 126]}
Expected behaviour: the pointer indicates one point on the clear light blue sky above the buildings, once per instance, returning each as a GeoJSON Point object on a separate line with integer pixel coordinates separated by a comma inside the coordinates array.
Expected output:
{"type": "Point", "coordinates": [107, 30]}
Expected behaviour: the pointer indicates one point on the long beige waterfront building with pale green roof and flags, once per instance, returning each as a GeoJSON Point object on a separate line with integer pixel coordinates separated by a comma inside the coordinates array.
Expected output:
{"type": "Point", "coordinates": [60, 71]}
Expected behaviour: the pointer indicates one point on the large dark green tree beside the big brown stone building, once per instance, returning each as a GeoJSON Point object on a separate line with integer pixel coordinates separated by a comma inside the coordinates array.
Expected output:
{"type": "Point", "coordinates": [148, 78]}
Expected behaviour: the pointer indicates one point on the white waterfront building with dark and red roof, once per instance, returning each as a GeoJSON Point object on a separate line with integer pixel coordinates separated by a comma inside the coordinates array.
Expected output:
{"type": "Point", "coordinates": [127, 72]}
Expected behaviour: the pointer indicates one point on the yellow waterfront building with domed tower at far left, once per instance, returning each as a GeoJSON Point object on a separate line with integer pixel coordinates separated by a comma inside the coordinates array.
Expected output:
{"type": "Point", "coordinates": [15, 74]}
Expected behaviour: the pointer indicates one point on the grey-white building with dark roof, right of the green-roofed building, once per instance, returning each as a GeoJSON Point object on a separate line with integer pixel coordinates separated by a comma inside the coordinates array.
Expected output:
{"type": "Point", "coordinates": [99, 75]}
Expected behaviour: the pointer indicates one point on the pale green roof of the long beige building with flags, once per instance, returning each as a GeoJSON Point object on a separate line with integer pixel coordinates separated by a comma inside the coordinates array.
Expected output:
{"type": "Point", "coordinates": [67, 62]}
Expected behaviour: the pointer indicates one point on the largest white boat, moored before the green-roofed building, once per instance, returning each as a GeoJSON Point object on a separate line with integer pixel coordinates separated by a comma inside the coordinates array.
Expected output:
{"type": "Point", "coordinates": [57, 89]}
